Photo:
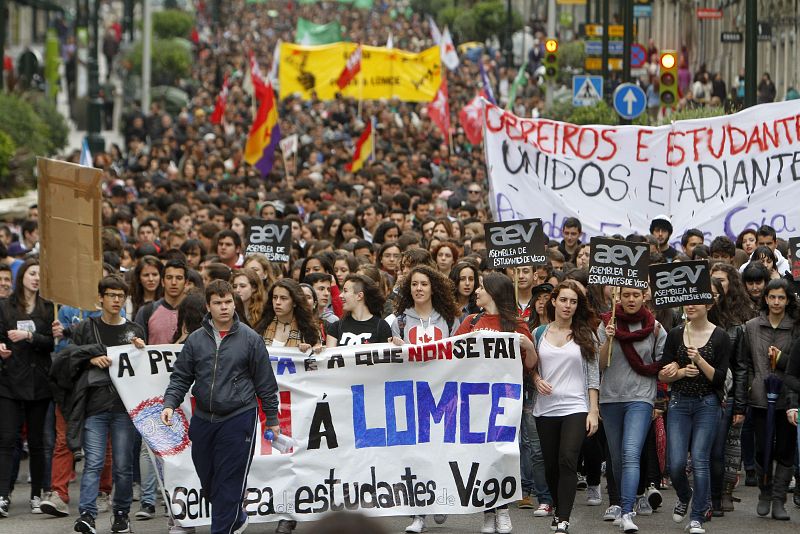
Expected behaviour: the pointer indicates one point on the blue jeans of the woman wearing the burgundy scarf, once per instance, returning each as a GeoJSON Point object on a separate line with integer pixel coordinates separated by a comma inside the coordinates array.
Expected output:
{"type": "Point", "coordinates": [627, 424]}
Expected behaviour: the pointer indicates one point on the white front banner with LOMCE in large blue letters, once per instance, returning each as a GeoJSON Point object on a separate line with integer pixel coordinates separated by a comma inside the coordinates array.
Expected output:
{"type": "Point", "coordinates": [381, 429]}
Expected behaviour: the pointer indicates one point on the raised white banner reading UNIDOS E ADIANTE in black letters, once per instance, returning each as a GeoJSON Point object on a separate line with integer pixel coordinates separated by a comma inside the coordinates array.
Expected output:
{"type": "Point", "coordinates": [720, 175]}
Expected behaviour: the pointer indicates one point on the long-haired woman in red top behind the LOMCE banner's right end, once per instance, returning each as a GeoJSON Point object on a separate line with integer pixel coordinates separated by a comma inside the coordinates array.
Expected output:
{"type": "Point", "coordinates": [495, 295]}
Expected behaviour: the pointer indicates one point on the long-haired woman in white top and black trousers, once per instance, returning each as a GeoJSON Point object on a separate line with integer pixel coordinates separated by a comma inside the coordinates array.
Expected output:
{"type": "Point", "coordinates": [568, 381]}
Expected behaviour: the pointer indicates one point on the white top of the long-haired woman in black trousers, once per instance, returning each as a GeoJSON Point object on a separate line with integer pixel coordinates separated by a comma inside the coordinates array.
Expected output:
{"type": "Point", "coordinates": [562, 368]}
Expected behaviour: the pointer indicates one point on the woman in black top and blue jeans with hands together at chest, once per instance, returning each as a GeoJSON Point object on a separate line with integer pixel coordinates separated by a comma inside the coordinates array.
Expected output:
{"type": "Point", "coordinates": [695, 362]}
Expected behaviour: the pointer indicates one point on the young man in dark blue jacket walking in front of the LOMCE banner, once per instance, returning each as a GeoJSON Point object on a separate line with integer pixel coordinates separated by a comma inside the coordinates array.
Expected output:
{"type": "Point", "coordinates": [229, 366]}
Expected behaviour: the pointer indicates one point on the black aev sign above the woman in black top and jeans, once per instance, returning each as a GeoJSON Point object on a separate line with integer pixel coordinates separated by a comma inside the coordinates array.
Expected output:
{"type": "Point", "coordinates": [678, 284]}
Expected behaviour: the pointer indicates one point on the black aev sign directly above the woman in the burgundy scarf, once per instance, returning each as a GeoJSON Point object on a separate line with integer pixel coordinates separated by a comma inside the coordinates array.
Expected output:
{"type": "Point", "coordinates": [618, 263]}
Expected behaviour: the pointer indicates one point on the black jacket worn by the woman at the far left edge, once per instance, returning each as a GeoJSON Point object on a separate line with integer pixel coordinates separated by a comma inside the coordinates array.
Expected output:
{"type": "Point", "coordinates": [24, 375]}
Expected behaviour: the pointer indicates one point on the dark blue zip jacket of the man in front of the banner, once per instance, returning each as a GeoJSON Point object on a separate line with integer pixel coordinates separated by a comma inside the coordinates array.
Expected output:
{"type": "Point", "coordinates": [227, 377]}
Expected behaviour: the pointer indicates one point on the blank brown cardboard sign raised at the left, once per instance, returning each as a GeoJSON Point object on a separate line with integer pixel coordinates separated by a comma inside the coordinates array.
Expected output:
{"type": "Point", "coordinates": [71, 252]}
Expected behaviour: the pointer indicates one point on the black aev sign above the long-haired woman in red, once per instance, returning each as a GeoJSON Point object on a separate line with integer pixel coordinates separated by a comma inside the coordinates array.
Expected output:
{"type": "Point", "coordinates": [516, 243]}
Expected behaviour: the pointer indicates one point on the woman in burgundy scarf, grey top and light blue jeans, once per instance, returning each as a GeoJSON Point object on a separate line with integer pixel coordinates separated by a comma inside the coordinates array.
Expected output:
{"type": "Point", "coordinates": [628, 390]}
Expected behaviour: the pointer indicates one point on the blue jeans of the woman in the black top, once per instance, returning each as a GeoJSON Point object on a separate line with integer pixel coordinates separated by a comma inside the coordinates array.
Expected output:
{"type": "Point", "coordinates": [695, 420]}
